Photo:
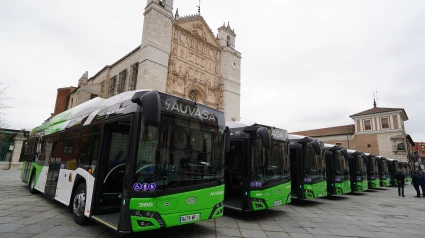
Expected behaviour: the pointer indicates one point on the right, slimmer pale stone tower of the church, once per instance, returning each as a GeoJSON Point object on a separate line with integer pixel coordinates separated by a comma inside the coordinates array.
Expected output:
{"type": "Point", "coordinates": [231, 73]}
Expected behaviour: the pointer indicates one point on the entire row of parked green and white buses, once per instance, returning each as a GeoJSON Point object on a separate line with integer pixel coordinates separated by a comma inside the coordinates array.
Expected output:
{"type": "Point", "coordinates": [145, 160]}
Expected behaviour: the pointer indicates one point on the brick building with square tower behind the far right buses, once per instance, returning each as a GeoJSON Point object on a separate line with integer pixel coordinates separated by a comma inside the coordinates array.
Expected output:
{"type": "Point", "coordinates": [378, 130]}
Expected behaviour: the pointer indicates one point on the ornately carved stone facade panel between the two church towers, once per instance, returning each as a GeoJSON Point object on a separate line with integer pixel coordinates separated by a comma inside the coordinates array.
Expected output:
{"type": "Point", "coordinates": [194, 65]}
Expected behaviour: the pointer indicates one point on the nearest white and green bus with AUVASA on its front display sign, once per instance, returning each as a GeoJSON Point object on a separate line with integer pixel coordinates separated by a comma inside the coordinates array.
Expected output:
{"type": "Point", "coordinates": [138, 161]}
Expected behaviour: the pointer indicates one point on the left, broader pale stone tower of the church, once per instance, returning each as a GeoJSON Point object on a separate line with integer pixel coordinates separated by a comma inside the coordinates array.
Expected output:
{"type": "Point", "coordinates": [155, 47]}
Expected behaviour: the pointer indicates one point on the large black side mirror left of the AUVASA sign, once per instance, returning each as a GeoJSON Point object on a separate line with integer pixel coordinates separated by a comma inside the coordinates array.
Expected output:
{"type": "Point", "coordinates": [151, 104]}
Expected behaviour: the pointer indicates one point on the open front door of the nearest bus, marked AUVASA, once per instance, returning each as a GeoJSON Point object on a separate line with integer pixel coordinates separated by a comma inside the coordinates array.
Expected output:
{"type": "Point", "coordinates": [111, 172]}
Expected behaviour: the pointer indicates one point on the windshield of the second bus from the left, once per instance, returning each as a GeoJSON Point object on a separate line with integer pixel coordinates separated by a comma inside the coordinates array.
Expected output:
{"type": "Point", "coordinates": [270, 164]}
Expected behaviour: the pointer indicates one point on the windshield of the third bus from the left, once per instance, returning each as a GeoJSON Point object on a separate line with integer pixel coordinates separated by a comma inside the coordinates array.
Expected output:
{"type": "Point", "coordinates": [314, 166]}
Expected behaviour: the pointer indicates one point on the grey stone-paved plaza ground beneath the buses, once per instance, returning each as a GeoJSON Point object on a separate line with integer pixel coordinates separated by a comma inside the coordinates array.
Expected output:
{"type": "Point", "coordinates": [378, 213]}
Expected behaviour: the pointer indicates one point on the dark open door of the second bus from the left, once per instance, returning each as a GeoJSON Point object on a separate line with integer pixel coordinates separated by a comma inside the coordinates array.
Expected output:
{"type": "Point", "coordinates": [235, 174]}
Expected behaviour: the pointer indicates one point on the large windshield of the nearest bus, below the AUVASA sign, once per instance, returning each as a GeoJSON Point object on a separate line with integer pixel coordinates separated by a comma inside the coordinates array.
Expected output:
{"type": "Point", "coordinates": [178, 153]}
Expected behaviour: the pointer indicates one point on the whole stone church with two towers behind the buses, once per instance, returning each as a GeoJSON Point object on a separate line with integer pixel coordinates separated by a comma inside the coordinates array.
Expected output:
{"type": "Point", "coordinates": [179, 55]}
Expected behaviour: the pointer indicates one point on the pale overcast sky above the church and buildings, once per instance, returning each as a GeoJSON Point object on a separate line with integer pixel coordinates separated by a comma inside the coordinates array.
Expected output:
{"type": "Point", "coordinates": [305, 64]}
